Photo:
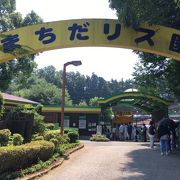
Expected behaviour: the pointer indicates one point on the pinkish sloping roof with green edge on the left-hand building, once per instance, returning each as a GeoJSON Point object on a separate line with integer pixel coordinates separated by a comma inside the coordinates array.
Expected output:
{"type": "Point", "coordinates": [11, 99]}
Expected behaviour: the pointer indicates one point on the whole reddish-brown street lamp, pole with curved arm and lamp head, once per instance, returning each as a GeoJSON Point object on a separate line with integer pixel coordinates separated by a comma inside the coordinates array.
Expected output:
{"type": "Point", "coordinates": [75, 63]}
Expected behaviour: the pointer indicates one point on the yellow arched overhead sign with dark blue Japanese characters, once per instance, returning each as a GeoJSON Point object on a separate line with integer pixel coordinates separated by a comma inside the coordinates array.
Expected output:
{"type": "Point", "coordinates": [88, 32]}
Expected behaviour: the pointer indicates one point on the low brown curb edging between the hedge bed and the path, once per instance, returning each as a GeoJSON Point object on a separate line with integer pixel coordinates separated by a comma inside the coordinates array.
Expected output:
{"type": "Point", "coordinates": [54, 165]}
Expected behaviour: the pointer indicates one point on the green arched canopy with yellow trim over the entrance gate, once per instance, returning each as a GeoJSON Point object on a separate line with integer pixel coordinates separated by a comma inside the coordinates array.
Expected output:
{"type": "Point", "coordinates": [146, 102]}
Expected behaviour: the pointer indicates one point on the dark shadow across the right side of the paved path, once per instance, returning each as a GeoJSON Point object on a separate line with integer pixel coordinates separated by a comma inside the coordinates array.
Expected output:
{"type": "Point", "coordinates": [149, 164]}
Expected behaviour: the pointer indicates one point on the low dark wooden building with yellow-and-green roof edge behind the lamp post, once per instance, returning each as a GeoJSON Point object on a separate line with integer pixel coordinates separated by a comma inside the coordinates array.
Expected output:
{"type": "Point", "coordinates": [83, 118]}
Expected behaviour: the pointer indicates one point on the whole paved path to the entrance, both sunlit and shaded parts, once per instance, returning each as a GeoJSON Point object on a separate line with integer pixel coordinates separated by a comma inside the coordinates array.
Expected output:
{"type": "Point", "coordinates": [117, 161]}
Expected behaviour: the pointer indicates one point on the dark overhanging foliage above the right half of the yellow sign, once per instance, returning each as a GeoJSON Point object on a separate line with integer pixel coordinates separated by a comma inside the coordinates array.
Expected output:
{"type": "Point", "coordinates": [133, 13]}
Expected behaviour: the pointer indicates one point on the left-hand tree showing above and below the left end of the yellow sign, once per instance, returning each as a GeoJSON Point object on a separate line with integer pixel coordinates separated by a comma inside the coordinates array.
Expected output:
{"type": "Point", "coordinates": [21, 67]}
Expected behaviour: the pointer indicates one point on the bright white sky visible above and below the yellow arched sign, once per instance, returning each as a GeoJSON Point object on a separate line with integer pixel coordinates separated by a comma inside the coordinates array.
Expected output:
{"type": "Point", "coordinates": [109, 63]}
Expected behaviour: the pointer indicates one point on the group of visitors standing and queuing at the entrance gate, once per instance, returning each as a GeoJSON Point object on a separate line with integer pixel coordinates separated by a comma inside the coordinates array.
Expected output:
{"type": "Point", "coordinates": [165, 131]}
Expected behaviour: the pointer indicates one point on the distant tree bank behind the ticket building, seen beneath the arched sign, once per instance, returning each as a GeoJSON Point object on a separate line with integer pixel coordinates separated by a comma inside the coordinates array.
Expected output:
{"type": "Point", "coordinates": [44, 86]}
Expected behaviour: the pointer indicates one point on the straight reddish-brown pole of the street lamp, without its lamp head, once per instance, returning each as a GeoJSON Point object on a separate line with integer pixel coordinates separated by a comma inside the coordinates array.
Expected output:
{"type": "Point", "coordinates": [63, 99]}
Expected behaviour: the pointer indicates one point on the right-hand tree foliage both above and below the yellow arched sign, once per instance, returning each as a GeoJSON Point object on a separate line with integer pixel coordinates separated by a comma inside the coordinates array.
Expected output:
{"type": "Point", "coordinates": [153, 72]}
